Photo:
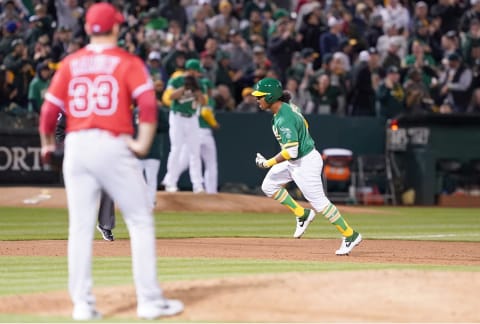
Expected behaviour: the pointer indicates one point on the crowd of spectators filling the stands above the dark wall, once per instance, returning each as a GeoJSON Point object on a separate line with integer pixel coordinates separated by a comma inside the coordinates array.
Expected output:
{"type": "Point", "coordinates": [343, 57]}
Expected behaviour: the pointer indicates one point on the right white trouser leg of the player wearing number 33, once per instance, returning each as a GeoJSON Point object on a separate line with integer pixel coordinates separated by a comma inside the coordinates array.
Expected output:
{"type": "Point", "coordinates": [122, 179]}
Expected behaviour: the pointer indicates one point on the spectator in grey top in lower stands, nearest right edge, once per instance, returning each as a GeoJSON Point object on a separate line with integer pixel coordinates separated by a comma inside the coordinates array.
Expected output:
{"type": "Point", "coordinates": [456, 83]}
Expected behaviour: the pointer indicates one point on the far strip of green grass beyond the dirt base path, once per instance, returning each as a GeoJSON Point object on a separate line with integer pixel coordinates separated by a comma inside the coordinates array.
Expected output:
{"type": "Point", "coordinates": [439, 224]}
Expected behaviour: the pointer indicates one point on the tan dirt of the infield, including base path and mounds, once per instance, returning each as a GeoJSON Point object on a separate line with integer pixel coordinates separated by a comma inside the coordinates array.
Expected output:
{"type": "Point", "coordinates": [361, 296]}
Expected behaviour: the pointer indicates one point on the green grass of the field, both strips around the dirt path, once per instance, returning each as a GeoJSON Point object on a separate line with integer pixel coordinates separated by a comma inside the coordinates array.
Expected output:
{"type": "Point", "coordinates": [20, 275]}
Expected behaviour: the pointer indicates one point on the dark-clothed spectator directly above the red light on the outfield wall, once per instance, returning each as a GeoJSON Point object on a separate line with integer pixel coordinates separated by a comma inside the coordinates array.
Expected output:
{"type": "Point", "coordinates": [390, 94]}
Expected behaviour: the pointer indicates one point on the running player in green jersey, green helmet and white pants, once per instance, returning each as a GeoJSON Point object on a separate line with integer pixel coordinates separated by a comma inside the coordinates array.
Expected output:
{"type": "Point", "coordinates": [297, 161]}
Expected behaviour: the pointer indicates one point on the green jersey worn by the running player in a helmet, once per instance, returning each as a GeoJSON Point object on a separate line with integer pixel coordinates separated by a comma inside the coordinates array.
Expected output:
{"type": "Point", "coordinates": [290, 128]}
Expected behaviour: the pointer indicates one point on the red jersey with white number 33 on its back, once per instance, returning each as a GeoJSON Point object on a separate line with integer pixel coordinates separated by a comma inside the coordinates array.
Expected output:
{"type": "Point", "coordinates": [97, 94]}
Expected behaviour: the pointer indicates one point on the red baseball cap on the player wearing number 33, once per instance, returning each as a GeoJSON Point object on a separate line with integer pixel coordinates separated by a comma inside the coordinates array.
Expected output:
{"type": "Point", "coordinates": [101, 17]}
